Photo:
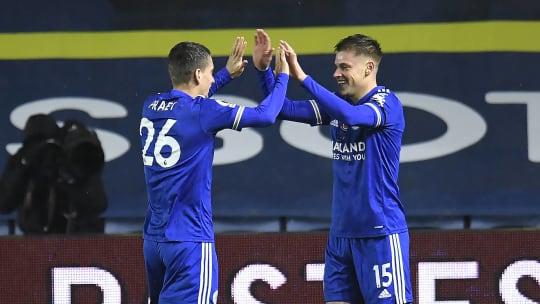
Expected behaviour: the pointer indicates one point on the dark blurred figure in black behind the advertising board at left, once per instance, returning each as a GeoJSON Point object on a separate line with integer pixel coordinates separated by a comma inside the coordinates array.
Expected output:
{"type": "Point", "coordinates": [54, 180]}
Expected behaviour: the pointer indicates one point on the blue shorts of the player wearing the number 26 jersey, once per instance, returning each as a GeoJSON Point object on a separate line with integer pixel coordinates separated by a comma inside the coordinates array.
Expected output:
{"type": "Point", "coordinates": [181, 272]}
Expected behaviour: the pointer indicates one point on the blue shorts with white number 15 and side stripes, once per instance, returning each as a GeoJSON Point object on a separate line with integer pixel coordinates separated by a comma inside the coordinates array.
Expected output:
{"type": "Point", "coordinates": [368, 270]}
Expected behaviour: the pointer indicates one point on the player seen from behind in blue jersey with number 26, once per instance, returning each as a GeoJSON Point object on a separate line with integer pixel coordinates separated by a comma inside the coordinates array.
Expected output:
{"type": "Point", "coordinates": [178, 130]}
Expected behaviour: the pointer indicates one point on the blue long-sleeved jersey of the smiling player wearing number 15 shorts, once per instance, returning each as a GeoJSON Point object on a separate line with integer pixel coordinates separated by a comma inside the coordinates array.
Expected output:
{"type": "Point", "coordinates": [366, 143]}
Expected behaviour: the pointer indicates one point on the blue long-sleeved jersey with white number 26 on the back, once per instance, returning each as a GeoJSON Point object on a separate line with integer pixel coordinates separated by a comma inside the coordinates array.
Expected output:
{"type": "Point", "coordinates": [178, 136]}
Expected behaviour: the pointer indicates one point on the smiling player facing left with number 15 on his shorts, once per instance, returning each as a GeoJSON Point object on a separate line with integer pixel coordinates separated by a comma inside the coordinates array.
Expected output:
{"type": "Point", "coordinates": [367, 254]}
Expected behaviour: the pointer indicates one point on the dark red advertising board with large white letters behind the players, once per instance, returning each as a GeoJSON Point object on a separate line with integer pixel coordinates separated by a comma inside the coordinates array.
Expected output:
{"type": "Point", "coordinates": [482, 267]}
